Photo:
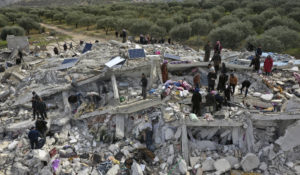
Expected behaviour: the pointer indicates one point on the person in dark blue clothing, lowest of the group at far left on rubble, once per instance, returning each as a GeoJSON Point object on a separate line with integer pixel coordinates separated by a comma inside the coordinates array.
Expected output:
{"type": "Point", "coordinates": [34, 136]}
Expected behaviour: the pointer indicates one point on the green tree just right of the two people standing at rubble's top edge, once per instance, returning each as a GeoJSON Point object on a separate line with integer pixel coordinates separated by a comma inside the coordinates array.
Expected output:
{"type": "Point", "coordinates": [140, 27]}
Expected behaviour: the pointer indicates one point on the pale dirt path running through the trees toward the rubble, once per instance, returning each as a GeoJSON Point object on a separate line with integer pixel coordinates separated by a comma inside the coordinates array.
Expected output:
{"type": "Point", "coordinates": [75, 36]}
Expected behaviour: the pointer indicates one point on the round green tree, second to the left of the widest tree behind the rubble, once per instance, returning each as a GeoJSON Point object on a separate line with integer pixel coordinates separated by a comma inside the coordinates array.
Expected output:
{"type": "Point", "coordinates": [181, 32]}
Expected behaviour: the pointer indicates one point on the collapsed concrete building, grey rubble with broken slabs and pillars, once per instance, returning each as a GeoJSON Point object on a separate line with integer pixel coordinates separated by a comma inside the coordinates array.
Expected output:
{"type": "Point", "coordinates": [106, 135]}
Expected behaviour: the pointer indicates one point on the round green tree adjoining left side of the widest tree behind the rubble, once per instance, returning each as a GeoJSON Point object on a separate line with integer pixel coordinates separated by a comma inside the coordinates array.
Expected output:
{"type": "Point", "coordinates": [201, 27]}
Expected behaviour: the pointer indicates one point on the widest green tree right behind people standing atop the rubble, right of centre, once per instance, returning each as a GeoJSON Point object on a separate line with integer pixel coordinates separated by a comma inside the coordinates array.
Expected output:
{"type": "Point", "coordinates": [231, 35]}
